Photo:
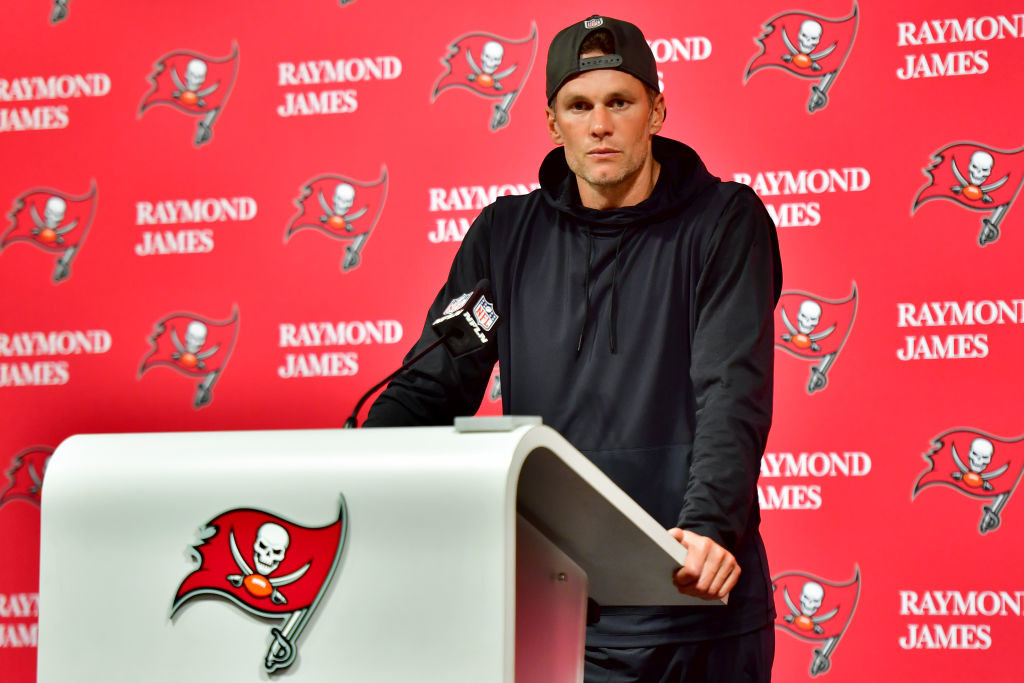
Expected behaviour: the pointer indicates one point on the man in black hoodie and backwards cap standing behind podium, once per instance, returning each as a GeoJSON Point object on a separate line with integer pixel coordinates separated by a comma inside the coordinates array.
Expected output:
{"type": "Point", "coordinates": [638, 294]}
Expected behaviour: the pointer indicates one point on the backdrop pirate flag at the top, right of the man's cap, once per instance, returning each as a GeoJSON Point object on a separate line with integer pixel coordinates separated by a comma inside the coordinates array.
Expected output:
{"type": "Point", "coordinates": [806, 47]}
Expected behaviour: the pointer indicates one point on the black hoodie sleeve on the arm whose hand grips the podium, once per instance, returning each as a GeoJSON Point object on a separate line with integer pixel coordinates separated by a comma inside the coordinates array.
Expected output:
{"type": "Point", "coordinates": [732, 369]}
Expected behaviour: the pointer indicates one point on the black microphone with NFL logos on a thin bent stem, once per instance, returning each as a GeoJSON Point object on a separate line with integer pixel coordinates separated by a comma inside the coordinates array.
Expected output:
{"type": "Point", "coordinates": [465, 327]}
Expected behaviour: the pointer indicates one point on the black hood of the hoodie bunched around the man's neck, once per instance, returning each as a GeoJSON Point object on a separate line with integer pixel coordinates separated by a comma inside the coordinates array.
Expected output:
{"type": "Point", "coordinates": [684, 178]}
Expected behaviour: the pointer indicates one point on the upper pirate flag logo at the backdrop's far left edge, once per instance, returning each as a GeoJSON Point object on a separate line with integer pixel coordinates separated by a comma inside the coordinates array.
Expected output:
{"type": "Point", "coordinates": [54, 222]}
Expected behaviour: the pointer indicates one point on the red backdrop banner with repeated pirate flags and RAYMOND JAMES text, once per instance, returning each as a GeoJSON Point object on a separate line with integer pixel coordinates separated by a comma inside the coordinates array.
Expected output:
{"type": "Point", "coordinates": [233, 216]}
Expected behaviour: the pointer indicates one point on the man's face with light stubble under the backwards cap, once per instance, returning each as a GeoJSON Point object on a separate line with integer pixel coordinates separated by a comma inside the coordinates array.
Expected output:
{"type": "Point", "coordinates": [605, 120]}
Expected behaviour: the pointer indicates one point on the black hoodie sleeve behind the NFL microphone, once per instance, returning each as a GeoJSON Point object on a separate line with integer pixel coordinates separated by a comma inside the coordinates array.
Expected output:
{"type": "Point", "coordinates": [439, 388]}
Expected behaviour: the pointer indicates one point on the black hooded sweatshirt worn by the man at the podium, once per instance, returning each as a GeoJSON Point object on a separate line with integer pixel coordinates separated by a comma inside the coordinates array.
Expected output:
{"type": "Point", "coordinates": [645, 336]}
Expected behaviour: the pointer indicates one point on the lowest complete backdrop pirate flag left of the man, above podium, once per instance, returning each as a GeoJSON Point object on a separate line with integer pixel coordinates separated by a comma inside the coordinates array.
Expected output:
{"type": "Point", "coordinates": [195, 347]}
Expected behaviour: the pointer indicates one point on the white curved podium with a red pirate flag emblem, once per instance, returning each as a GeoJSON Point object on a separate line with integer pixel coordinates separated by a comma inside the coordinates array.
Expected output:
{"type": "Point", "coordinates": [393, 556]}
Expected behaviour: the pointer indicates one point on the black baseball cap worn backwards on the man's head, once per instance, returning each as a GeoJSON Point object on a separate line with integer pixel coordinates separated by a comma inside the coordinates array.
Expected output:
{"type": "Point", "coordinates": [633, 55]}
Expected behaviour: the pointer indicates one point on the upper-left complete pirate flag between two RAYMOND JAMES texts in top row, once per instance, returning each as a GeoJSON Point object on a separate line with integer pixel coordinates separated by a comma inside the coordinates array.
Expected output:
{"type": "Point", "coordinates": [195, 84]}
